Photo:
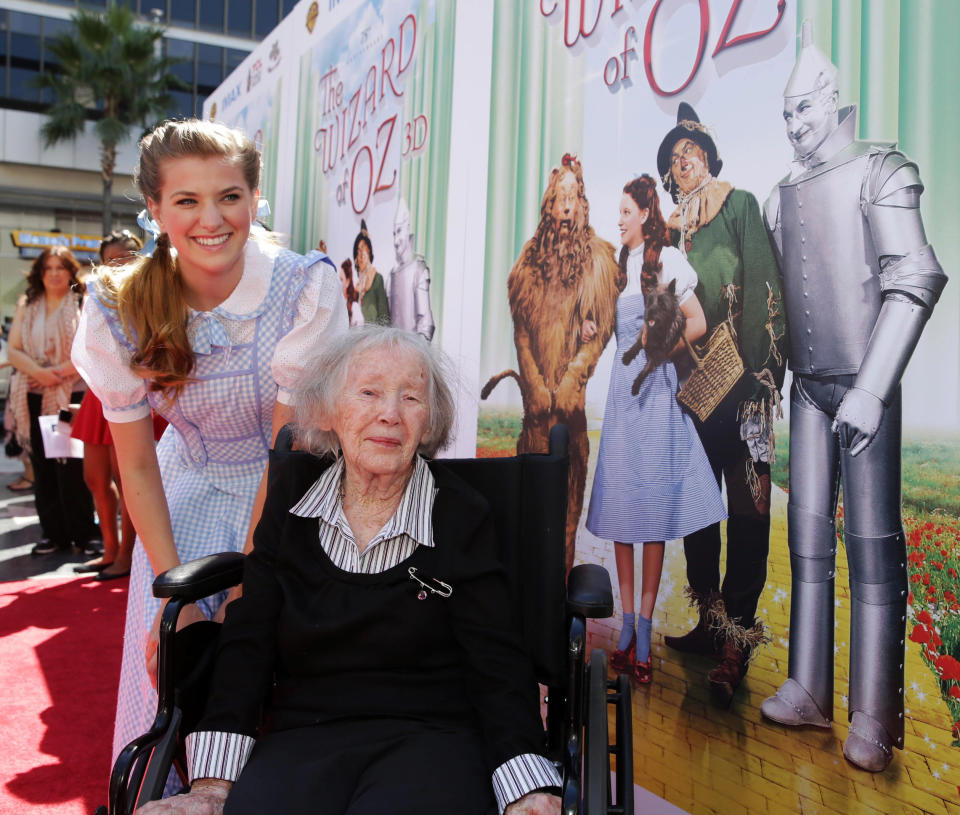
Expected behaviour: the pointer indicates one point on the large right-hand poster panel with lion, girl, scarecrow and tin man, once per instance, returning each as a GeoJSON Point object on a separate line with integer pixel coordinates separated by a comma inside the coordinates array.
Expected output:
{"type": "Point", "coordinates": [595, 103]}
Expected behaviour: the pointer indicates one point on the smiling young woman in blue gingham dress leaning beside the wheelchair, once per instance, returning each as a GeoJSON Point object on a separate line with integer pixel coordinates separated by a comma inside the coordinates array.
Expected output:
{"type": "Point", "coordinates": [210, 332]}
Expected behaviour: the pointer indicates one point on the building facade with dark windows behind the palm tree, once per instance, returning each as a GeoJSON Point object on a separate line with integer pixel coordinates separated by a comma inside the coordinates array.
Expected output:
{"type": "Point", "coordinates": [54, 195]}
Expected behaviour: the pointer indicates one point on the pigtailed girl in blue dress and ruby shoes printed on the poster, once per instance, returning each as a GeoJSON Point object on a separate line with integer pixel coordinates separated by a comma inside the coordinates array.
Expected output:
{"type": "Point", "coordinates": [653, 481]}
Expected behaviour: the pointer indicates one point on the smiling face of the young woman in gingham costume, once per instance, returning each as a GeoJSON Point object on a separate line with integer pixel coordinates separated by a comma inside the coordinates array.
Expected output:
{"type": "Point", "coordinates": [206, 208]}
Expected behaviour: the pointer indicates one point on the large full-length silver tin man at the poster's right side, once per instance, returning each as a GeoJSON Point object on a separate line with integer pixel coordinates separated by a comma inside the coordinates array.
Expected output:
{"type": "Point", "coordinates": [860, 281]}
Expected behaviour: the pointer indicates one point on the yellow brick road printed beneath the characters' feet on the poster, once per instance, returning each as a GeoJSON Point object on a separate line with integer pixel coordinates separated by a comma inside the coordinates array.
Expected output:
{"type": "Point", "coordinates": [733, 762]}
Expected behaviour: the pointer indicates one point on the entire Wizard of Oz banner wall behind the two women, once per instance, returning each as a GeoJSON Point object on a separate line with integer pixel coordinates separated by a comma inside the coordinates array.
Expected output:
{"type": "Point", "coordinates": [715, 243]}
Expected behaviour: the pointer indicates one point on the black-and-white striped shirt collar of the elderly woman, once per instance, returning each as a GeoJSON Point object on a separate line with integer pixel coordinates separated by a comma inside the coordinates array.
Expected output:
{"type": "Point", "coordinates": [414, 515]}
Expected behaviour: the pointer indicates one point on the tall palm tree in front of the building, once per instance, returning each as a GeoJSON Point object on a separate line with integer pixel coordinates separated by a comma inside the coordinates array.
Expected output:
{"type": "Point", "coordinates": [109, 69]}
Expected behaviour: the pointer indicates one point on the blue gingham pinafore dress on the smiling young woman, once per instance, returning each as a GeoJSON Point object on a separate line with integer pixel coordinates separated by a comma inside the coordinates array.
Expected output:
{"type": "Point", "coordinates": [211, 457]}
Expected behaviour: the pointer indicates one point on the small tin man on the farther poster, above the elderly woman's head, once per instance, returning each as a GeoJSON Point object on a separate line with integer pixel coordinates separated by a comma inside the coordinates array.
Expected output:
{"type": "Point", "coordinates": [409, 287]}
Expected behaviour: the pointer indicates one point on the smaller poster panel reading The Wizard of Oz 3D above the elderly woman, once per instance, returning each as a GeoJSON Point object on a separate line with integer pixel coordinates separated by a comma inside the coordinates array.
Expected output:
{"type": "Point", "coordinates": [373, 122]}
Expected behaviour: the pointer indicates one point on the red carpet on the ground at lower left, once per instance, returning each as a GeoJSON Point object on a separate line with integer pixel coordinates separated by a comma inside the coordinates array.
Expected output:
{"type": "Point", "coordinates": [60, 644]}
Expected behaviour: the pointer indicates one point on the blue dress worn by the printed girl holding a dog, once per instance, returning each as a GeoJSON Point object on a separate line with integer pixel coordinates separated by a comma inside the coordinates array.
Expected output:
{"type": "Point", "coordinates": [653, 481]}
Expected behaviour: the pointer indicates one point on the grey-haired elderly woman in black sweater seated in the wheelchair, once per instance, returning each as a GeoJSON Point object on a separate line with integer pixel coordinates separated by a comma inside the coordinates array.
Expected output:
{"type": "Point", "coordinates": [371, 664]}
